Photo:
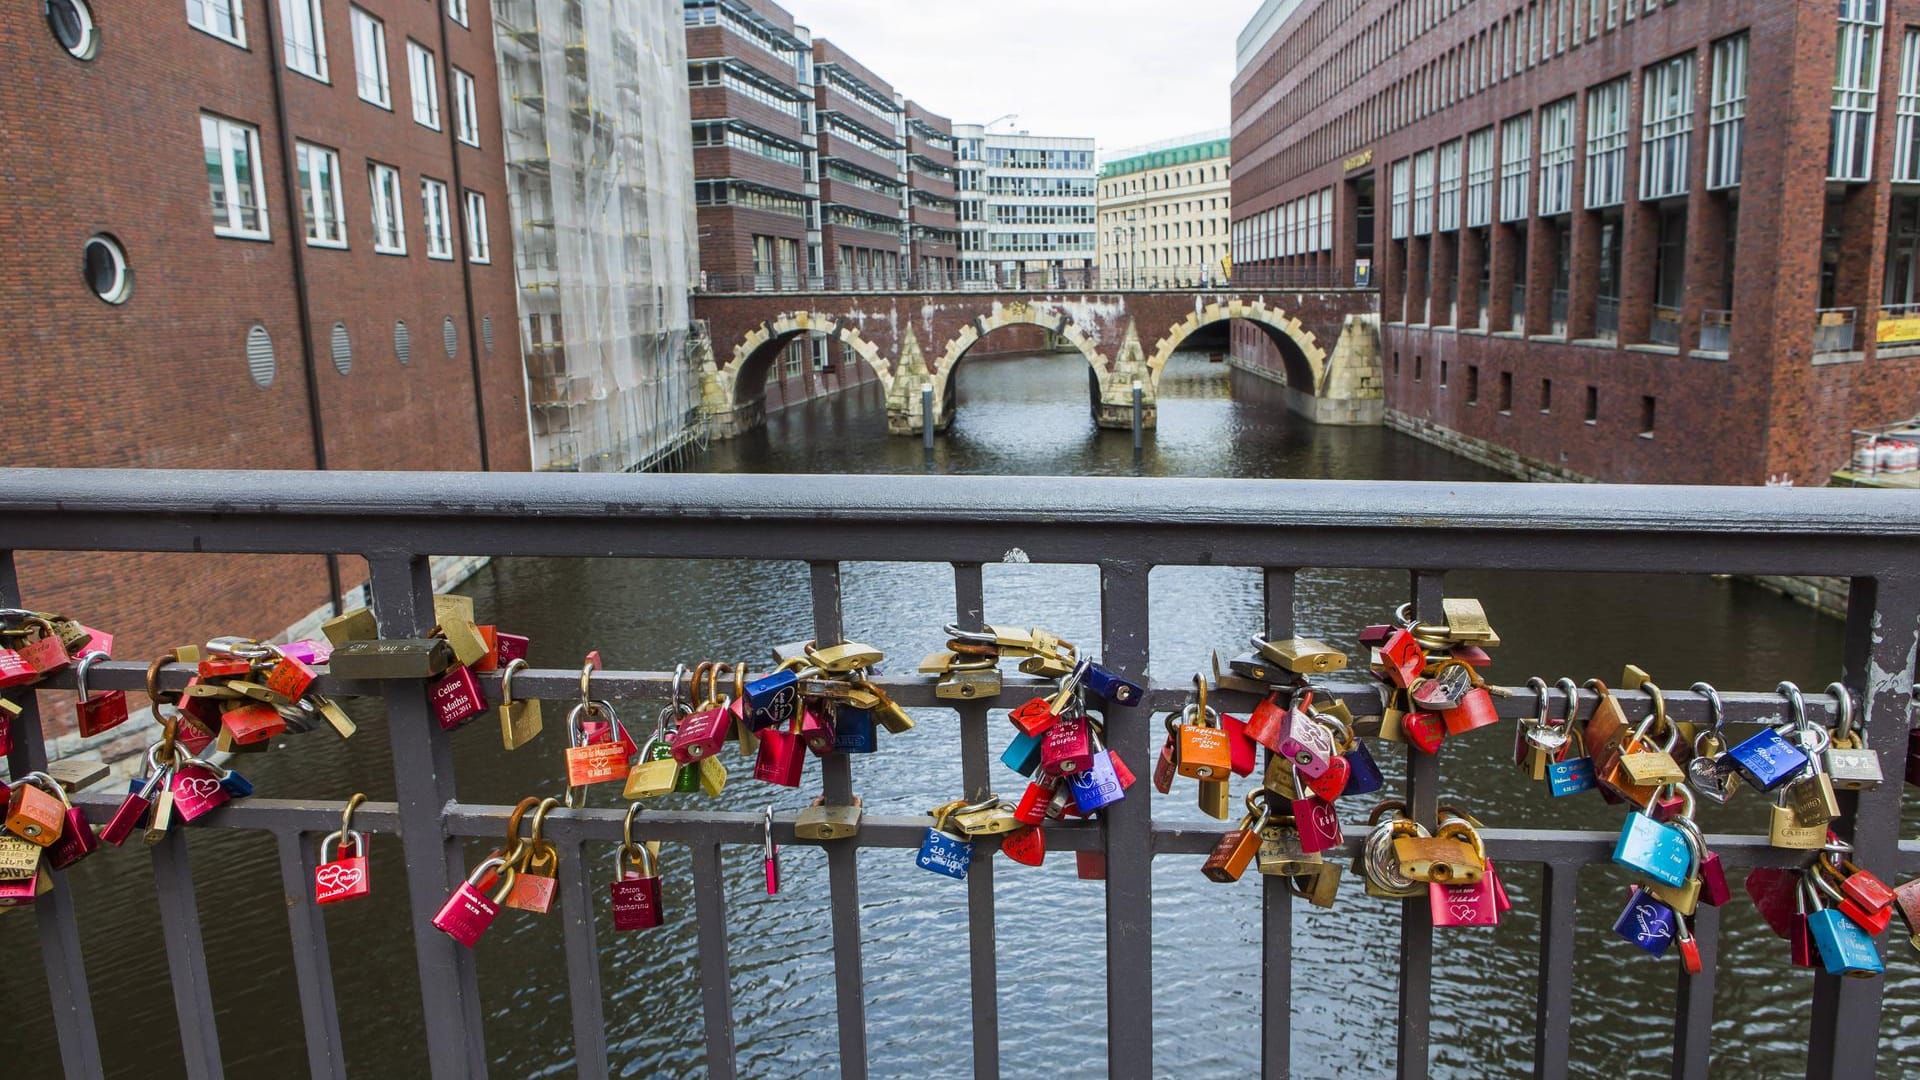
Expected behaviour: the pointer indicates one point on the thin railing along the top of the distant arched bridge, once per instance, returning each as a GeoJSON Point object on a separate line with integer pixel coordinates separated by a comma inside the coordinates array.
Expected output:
{"type": "Point", "coordinates": [1155, 280]}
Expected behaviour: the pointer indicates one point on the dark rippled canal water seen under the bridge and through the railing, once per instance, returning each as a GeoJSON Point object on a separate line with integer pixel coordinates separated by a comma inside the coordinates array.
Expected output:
{"type": "Point", "coordinates": [1017, 416]}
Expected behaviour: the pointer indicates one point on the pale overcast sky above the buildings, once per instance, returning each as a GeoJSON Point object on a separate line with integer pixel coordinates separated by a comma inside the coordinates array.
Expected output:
{"type": "Point", "coordinates": [1124, 72]}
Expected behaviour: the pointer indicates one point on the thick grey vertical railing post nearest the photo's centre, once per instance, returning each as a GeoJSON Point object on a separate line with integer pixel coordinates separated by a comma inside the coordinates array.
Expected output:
{"type": "Point", "coordinates": [1128, 831]}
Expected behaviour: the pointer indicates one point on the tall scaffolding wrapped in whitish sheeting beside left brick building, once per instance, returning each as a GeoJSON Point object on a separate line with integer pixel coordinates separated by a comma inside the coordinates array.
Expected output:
{"type": "Point", "coordinates": [600, 174]}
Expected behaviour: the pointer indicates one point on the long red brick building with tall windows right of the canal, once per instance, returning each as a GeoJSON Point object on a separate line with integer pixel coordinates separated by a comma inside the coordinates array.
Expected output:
{"type": "Point", "coordinates": [1621, 239]}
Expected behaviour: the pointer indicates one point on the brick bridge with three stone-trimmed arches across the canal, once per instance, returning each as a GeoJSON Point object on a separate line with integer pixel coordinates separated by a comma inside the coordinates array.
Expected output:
{"type": "Point", "coordinates": [1326, 345]}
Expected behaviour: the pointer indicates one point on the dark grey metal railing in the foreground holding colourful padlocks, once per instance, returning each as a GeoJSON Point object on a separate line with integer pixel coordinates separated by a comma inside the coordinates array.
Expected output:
{"type": "Point", "coordinates": [1124, 528]}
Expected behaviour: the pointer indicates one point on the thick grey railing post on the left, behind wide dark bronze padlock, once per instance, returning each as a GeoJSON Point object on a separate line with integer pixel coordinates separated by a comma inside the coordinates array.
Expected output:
{"type": "Point", "coordinates": [402, 595]}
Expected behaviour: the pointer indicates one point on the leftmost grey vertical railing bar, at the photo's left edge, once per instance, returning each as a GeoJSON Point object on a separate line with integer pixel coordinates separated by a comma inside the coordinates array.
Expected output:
{"type": "Point", "coordinates": [60, 929]}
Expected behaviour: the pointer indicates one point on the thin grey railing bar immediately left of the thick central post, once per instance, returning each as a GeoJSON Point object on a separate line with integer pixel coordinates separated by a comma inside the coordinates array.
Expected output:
{"type": "Point", "coordinates": [971, 606]}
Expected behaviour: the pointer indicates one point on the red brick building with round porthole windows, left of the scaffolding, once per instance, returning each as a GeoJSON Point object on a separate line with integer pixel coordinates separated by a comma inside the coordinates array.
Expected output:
{"type": "Point", "coordinates": [251, 233]}
